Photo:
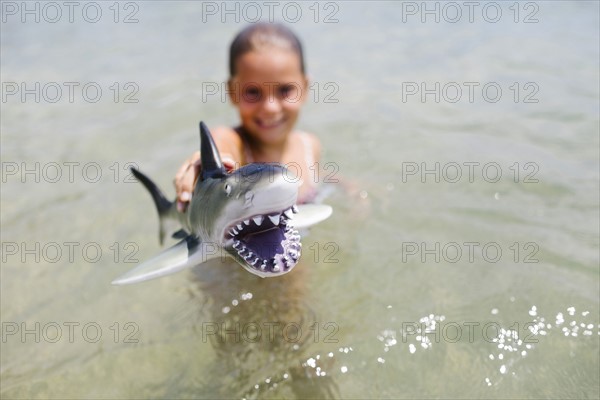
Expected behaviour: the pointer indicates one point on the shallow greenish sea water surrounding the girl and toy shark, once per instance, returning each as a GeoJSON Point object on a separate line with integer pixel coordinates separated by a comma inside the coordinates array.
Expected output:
{"type": "Point", "coordinates": [462, 259]}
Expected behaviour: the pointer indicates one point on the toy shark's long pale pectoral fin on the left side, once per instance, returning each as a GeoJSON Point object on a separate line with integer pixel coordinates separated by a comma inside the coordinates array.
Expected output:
{"type": "Point", "coordinates": [184, 254]}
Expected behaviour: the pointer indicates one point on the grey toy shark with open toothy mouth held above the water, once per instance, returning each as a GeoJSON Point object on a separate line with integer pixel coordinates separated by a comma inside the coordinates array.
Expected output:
{"type": "Point", "coordinates": [246, 215]}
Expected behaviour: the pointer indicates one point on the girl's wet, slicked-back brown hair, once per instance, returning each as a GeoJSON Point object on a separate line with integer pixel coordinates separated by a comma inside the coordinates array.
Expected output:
{"type": "Point", "coordinates": [261, 35]}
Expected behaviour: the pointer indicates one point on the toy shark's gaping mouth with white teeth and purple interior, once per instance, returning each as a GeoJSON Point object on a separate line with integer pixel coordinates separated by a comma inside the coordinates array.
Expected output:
{"type": "Point", "coordinates": [267, 243]}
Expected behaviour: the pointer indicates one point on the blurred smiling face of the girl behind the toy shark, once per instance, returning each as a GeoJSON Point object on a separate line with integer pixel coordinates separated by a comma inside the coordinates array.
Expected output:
{"type": "Point", "coordinates": [268, 89]}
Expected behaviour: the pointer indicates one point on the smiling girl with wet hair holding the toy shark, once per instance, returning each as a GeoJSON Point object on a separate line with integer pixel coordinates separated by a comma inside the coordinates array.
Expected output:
{"type": "Point", "coordinates": [268, 87]}
